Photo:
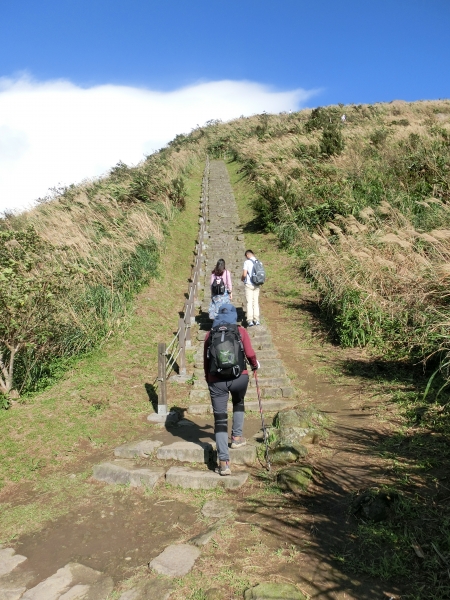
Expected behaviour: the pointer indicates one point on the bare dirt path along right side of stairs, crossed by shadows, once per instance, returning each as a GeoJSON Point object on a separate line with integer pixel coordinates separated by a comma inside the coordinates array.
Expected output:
{"type": "Point", "coordinates": [344, 460]}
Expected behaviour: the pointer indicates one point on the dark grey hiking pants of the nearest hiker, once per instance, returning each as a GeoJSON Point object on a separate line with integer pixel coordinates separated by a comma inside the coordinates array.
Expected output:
{"type": "Point", "coordinates": [219, 399]}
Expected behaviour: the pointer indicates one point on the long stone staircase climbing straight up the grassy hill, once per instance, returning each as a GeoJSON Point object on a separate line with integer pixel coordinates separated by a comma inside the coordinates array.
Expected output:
{"type": "Point", "coordinates": [170, 462]}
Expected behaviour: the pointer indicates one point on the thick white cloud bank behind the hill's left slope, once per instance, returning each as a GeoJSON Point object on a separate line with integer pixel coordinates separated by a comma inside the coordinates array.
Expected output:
{"type": "Point", "coordinates": [55, 132]}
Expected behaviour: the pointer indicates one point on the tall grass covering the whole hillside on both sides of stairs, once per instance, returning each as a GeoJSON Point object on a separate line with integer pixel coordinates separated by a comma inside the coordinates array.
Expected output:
{"type": "Point", "coordinates": [364, 204]}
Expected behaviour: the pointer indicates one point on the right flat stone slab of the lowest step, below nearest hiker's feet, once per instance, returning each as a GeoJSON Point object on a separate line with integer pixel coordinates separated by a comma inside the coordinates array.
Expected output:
{"type": "Point", "coordinates": [195, 479]}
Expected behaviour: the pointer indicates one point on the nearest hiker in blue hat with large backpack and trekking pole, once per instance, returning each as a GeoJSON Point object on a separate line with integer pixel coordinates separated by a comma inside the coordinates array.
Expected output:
{"type": "Point", "coordinates": [226, 352]}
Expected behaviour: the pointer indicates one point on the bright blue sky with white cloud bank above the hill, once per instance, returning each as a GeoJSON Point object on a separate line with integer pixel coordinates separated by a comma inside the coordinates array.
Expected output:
{"type": "Point", "coordinates": [299, 53]}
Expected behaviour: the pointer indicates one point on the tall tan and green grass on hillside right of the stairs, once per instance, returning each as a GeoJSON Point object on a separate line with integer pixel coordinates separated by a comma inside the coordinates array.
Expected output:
{"type": "Point", "coordinates": [365, 204]}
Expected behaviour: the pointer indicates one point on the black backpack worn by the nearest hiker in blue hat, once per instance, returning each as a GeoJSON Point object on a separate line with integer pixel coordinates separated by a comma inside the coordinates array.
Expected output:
{"type": "Point", "coordinates": [226, 351]}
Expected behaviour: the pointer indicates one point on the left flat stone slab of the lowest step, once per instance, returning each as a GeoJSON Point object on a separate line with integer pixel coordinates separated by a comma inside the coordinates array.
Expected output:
{"type": "Point", "coordinates": [126, 472]}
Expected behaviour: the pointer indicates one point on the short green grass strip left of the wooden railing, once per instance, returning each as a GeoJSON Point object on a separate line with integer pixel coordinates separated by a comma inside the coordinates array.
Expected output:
{"type": "Point", "coordinates": [101, 401]}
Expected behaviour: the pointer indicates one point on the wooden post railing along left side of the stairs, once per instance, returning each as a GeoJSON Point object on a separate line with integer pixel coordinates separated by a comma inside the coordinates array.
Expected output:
{"type": "Point", "coordinates": [175, 353]}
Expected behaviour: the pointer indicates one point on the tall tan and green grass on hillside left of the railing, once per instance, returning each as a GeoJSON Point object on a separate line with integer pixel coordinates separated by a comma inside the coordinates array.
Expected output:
{"type": "Point", "coordinates": [70, 267]}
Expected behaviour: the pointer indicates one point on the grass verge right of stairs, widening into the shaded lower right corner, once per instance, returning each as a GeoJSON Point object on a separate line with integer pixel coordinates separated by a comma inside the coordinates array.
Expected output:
{"type": "Point", "coordinates": [414, 447]}
